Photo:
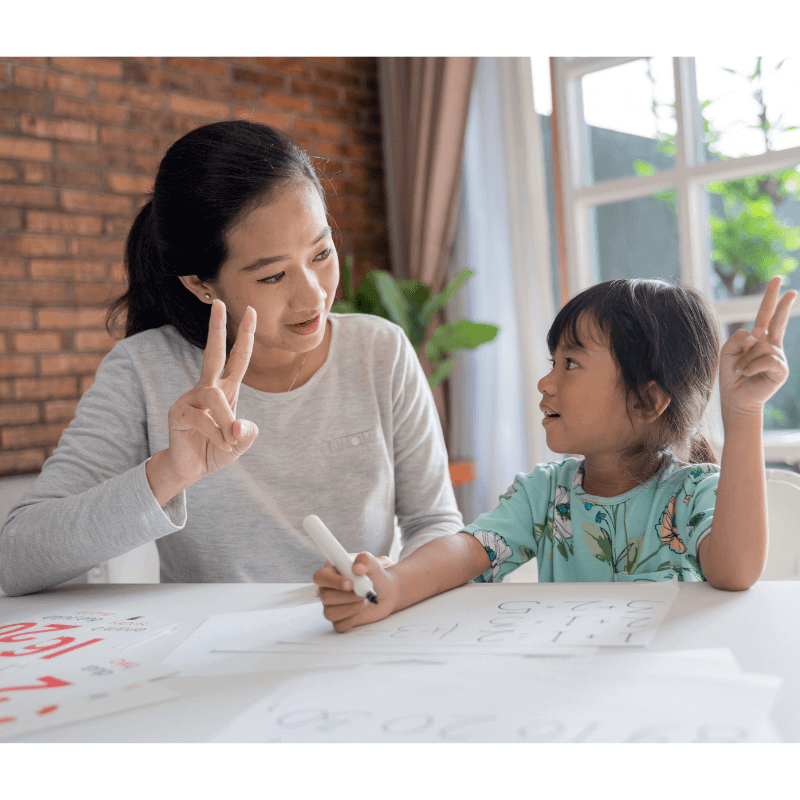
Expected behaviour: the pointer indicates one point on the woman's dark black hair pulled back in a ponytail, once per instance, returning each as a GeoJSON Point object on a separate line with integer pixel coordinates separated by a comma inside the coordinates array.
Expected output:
{"type": "Point", "coordinates": [207, 182]}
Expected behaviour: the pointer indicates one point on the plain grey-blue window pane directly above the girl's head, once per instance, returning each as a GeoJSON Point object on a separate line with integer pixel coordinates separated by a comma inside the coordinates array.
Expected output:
{"type": "Point", "coordinates": [636, 239]}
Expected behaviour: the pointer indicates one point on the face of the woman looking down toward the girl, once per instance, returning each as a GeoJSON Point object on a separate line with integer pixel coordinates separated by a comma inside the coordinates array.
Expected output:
{"type": "Point", "coordinates": [282, 262]}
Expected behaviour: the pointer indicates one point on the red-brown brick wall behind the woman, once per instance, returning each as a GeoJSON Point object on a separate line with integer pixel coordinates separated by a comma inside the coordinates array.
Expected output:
{"type": "Point", "coordinates": [80, 142]}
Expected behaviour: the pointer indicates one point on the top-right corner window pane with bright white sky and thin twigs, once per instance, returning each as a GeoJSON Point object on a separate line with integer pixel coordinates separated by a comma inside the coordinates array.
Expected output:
{"type": "Point", "coordinates": [749, 104]}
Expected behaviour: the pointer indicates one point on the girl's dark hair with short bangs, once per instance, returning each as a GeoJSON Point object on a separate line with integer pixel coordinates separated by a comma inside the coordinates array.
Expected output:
{"type": "Point", "coordinates": [656, 331]}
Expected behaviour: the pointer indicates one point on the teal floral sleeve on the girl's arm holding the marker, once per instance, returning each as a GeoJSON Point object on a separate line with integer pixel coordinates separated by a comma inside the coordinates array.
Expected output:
{"type": "Point", "coordinates": [507, 532]}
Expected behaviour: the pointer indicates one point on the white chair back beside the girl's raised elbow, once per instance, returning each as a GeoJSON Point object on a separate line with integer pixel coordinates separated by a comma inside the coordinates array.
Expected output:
{"type": "Point", "coordinates": [783, 515]}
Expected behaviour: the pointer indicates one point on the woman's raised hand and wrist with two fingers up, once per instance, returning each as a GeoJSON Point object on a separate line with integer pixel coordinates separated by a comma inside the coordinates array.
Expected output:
{"type": "Point", "coordinates": [204, 434]}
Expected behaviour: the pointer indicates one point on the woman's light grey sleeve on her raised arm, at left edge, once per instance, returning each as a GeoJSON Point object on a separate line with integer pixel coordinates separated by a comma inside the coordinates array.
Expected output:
{"type": "Point", "coordinates": [92, 501]}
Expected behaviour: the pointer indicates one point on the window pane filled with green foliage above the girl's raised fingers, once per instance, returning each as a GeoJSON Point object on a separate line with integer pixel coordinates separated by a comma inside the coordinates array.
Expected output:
{"type": "Point", "coordinates": [754, 226]}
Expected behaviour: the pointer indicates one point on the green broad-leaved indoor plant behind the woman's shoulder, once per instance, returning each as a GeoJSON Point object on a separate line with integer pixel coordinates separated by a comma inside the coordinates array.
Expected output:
{"type": "Point", "coordinates": [413, 306]}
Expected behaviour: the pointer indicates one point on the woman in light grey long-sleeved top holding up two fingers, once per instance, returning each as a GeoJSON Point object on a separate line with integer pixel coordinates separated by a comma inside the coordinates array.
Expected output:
{"type": "Point", "coordinates": [237, 404]}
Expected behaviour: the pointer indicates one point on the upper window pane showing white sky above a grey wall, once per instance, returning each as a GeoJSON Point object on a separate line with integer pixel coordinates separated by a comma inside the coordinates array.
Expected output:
{"type": "Point", "coordinates": [629, 116]}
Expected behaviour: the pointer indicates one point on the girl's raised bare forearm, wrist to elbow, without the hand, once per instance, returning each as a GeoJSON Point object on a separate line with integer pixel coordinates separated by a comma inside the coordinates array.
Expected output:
{"type": "Point", "coordinates": [733, 555]}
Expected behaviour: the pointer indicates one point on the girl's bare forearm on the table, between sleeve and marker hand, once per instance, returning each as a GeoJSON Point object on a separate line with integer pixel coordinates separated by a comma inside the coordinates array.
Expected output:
{"type": "Point", "coordinates": [437, 566]}
